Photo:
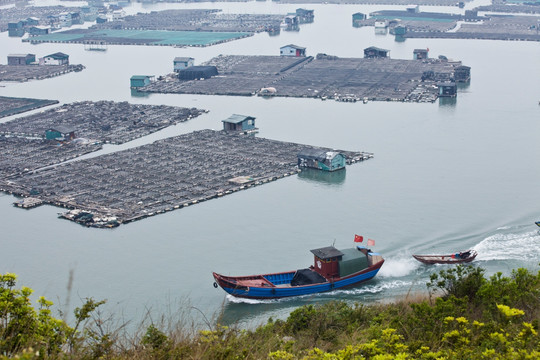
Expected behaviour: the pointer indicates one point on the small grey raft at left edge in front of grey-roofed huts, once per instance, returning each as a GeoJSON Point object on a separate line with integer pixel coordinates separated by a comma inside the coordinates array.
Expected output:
{"type": "Point", "coordinates": [22, 73]}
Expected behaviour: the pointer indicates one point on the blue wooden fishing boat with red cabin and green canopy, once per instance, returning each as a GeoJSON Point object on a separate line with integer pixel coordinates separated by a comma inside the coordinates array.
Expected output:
{"type": "Point", "coordinates": [332, 269]}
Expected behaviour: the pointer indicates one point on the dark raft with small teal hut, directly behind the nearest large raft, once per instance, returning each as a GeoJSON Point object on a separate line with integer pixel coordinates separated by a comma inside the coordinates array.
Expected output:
{"type": "Point", "coordinates": [25, 147]}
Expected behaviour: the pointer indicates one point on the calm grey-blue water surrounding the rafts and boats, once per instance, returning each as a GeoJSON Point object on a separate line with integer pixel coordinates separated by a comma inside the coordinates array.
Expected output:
{"type": "Point", "coordinates": [446, 176]}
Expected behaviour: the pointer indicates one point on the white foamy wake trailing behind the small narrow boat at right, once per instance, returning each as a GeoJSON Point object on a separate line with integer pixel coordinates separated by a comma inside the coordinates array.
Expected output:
{"type": "Point", "coordinates": [508, 244]}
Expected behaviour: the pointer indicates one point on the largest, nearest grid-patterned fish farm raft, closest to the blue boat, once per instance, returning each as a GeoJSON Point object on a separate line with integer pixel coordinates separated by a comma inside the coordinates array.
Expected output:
{"type": "Point", "coordinates": [168, 174]}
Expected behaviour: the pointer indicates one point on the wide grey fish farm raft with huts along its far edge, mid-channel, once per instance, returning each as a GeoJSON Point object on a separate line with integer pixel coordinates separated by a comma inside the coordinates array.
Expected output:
{"type": "Point", "coordinates": [324, 77]}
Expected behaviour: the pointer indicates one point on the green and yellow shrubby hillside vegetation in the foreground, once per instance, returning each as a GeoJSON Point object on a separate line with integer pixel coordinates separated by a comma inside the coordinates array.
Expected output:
{"type": "Point", "coordinates": [467, 316]}
